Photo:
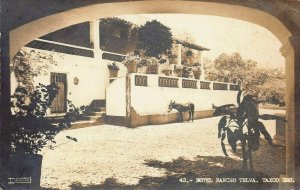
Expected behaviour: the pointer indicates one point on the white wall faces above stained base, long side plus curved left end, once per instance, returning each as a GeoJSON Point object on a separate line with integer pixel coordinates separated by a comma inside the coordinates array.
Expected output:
{"type": "Point", "coordinates": [152, 99]}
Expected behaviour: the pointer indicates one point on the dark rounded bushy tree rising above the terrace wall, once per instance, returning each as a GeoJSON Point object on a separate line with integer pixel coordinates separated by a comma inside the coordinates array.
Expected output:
{"type": "Point", "coordinates": [154, 39]}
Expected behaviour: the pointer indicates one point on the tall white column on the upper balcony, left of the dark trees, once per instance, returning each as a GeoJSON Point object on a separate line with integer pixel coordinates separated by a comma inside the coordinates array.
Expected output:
{"type": "Point", "coordinates": [95, 38]}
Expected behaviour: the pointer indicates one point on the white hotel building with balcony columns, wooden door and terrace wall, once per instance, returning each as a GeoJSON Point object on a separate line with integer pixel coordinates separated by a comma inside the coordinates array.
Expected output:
{"type": "Point", "coordinates": [130, 99]}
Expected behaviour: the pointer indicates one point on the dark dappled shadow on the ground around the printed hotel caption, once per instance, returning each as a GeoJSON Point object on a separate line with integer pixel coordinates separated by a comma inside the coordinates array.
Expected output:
{"type": "Point", "coordinates": [182, 174]}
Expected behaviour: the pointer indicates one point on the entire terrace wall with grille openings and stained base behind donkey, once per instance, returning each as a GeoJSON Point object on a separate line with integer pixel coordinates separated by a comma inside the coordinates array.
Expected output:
{"type": "Point", "coordinates": [148, 97]}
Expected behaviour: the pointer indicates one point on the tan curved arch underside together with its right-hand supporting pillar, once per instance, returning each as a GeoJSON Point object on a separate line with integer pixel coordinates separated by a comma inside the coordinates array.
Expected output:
{"type": "Point", "coordinates": [26, 33]}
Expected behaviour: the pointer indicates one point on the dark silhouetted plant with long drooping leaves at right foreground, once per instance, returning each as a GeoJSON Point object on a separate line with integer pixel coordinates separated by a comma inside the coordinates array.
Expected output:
{"type": "Point", "coordinates": [243, 124]}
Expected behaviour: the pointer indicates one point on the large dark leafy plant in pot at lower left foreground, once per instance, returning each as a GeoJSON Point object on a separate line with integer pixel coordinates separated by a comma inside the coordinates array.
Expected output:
{"type": "Point", "coordinates": [30, 131]}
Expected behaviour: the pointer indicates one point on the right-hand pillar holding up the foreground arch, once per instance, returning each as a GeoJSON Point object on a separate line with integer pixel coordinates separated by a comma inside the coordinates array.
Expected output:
{"type": "Point", "coordinates": [291, 51]}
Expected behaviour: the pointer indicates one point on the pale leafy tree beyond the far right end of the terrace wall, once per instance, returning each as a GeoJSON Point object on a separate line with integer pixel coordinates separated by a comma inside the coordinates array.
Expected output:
{"type": "Point", "coordinates": [256, 81]}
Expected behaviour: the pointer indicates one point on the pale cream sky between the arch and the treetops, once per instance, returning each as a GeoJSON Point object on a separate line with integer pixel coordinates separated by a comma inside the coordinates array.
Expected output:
{"type": "Point", "coordinates": [221, 35]}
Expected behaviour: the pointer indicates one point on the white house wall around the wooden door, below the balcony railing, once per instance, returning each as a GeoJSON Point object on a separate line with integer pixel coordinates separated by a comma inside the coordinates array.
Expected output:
{"type": "Point", "coordinates": [92, 74]}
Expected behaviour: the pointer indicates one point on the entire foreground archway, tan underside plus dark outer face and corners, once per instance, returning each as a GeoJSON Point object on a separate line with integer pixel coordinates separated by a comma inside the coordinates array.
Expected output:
{"type": "Point", "coordinates": [282, 19]}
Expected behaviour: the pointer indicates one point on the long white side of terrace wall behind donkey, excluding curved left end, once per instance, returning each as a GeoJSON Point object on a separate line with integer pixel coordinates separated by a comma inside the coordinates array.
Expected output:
{"type": "Point", "coordinates": [153, 99]}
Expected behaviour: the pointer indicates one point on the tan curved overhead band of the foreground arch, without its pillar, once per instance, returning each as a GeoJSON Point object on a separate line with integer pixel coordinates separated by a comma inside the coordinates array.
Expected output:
{"type": "Point", "coordinates": [26, 33]}
